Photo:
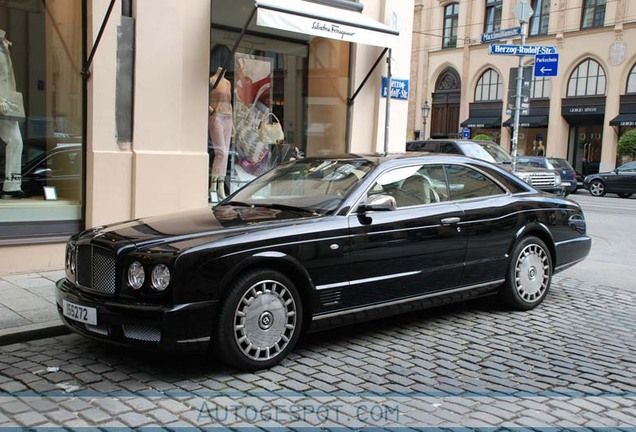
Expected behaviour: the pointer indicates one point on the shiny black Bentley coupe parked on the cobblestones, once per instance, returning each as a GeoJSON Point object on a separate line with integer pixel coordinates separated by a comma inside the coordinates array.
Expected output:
{"type": "Point", "coordinates": [315, 243]}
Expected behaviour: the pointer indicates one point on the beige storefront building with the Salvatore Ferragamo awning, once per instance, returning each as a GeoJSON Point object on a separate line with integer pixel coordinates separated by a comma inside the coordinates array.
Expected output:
{"type": "Point", "coordinates": [119, 106]}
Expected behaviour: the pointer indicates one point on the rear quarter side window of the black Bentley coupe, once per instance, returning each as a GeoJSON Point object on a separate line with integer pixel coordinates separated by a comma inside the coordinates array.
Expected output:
{"type": "Point", "coordinates": [465, 182]}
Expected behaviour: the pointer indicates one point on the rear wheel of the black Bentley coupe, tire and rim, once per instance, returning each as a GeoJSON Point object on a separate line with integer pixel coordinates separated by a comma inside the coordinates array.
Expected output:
{"type": "Point", "coordinates": [529, 274]}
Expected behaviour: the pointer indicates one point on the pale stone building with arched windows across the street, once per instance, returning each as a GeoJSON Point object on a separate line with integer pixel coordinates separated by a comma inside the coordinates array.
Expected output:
{"type": "Point", "coordinates": [578, 114]}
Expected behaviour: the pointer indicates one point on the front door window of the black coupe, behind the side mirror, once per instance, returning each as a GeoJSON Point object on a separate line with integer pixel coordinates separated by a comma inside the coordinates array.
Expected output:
{"type": "Point", "coordinates": [414, 185]}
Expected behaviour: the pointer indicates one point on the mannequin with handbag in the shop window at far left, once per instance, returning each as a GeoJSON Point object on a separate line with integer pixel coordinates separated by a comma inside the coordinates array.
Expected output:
{"type": "Point", "coordinates": [11, 110]}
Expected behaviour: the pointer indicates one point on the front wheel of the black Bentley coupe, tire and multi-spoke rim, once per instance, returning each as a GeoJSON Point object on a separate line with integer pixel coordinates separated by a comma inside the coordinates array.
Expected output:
{"type": "Point", "coordinates": [259, 322]}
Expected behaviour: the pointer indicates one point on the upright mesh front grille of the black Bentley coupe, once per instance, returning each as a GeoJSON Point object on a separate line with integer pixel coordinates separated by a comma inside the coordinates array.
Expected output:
{"type": "Point", "coordinates": [96, 269]}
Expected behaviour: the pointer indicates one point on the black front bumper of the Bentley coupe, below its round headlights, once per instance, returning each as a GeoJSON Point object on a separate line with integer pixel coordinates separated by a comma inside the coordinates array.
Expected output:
{"type": "Point", "coordinates": [184, 326]}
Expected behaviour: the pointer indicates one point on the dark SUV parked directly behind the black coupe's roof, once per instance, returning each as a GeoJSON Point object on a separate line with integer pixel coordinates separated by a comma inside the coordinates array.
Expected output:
{"type": "Point", "coordinates": [541, 178]}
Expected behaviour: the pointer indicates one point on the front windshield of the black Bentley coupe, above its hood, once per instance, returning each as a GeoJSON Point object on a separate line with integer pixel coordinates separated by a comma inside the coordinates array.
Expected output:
{"type": "Point", "coordinates": [315, 186]}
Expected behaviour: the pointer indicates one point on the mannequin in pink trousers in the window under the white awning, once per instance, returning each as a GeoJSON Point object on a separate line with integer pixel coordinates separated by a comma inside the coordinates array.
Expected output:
{"type": "Point", "coordinates": [220, 128]}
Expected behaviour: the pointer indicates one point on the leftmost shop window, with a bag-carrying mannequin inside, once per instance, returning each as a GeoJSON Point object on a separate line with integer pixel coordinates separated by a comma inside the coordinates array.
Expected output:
{"type": "Point", "coordinates": [40, 118]}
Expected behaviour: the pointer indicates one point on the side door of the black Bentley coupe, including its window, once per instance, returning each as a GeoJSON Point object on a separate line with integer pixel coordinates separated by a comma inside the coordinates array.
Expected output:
{"type": "Point", "coordinates": [416, 248]}
